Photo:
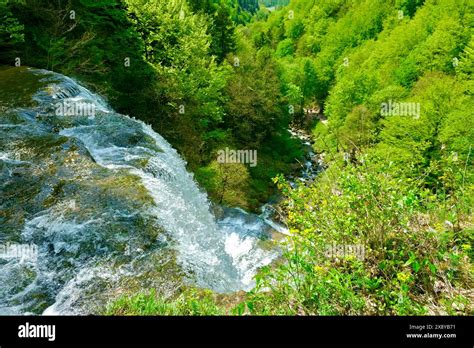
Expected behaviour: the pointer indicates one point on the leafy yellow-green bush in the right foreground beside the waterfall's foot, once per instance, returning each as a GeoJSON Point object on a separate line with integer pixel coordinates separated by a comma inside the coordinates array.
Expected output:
{"type": "Point", "coordinates": [411, 263]}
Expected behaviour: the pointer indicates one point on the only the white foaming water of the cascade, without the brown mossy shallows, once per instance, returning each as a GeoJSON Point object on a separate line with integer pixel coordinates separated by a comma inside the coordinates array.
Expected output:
{"type": "Point", "coordinates": [221, 255]}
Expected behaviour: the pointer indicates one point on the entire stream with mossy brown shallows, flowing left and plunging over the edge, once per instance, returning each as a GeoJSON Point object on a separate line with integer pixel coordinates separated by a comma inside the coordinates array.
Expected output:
{"type": "Point", "coordinates": [106, 205]}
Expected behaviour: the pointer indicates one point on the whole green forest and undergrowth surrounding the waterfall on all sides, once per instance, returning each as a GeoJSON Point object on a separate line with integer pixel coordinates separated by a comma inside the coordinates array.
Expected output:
{"type": "Point", "coordinates": [382, 91]}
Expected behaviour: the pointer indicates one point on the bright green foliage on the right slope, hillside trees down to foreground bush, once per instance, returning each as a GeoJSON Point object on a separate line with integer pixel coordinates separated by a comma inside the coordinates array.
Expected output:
{"type": "Point", "coordinates": [404, 188]}
